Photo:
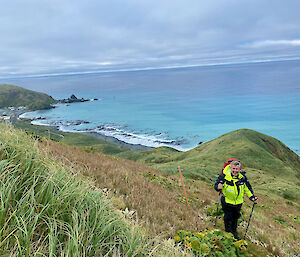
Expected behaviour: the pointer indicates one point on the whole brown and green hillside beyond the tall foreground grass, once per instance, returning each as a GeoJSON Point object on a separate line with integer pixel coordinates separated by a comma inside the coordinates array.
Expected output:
{"type": "Point", "coordinates": [156, 197]}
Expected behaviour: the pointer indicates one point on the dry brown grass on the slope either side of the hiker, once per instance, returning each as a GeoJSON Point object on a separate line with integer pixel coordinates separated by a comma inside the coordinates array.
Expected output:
{"type": "Point", "coordinates": [159, 209]}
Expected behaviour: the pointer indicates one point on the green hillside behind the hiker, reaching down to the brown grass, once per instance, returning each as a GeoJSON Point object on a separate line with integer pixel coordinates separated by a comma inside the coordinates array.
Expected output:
{"type": "Point", "coordinates": [271, 165]}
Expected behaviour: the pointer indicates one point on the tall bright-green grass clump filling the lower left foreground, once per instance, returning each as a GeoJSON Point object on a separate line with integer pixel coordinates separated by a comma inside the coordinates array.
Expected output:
{"type": "Point", "coordinates": [46, 210]}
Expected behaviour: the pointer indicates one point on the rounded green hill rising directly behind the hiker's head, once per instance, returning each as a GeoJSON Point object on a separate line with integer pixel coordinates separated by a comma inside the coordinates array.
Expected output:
{"type": "Point", "coordinates": [254, 149]}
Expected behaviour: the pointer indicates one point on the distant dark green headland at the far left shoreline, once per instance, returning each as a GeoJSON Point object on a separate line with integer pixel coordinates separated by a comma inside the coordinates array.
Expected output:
{"type": "Point", "coordinates": [16, 96]}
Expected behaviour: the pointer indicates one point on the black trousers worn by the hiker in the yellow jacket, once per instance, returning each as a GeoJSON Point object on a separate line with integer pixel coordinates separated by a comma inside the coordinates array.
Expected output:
{"type": "Point", "coordinates": [231, 215]}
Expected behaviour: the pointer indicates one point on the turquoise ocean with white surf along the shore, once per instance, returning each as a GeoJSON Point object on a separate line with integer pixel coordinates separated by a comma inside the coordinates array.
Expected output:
{"type": "Point", "coordinates": [177, 107]}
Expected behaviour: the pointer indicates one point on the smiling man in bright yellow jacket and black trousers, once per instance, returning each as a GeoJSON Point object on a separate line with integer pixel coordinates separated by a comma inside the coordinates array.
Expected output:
{"type": "Point", "coordinates": [233, 185]}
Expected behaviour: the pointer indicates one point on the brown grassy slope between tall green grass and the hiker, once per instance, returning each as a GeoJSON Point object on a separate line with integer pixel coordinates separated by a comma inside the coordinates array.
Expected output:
{"type": "Point", "coordinates": [156, 200]}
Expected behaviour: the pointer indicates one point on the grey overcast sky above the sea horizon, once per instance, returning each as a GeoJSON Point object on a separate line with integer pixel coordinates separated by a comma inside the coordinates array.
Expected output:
{"type": "Point", "coordinates": [58, 36]}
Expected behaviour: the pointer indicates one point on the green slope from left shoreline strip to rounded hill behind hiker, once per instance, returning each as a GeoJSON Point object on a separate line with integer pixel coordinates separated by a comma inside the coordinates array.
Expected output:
{"type": "Point", "coordinates": [256, 151]}
